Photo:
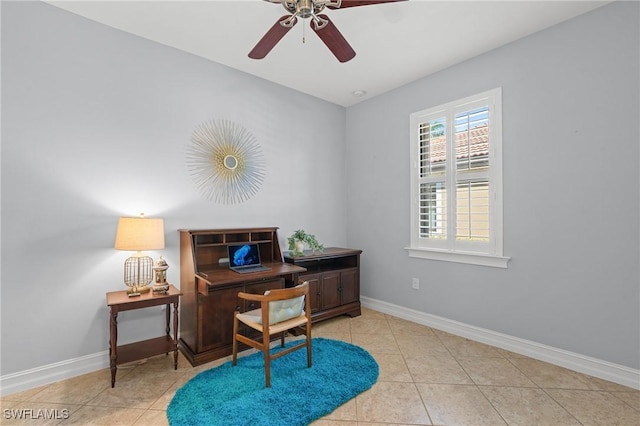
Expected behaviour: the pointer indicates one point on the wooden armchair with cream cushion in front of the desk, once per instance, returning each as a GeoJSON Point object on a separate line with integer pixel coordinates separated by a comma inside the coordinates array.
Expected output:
{"type": "Point", "coordinates": [280, 310]}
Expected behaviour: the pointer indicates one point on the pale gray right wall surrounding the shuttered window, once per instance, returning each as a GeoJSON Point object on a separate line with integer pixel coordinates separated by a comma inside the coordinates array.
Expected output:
{"type": "Point", "coordinates": [571, 190]}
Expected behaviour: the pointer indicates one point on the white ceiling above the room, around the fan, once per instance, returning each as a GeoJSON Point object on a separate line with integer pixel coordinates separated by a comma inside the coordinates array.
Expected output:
{"type": "Point", "coordinates": [395, 43]}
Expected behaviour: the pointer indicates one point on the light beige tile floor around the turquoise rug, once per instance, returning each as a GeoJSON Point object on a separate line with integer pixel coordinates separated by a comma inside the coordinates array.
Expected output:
{"type": "Point", "coordinates": [427, 377]}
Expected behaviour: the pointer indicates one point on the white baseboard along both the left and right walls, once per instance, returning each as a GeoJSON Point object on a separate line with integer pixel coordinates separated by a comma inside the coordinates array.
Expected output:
{"type": "Point", "coordinates": [28, 379]}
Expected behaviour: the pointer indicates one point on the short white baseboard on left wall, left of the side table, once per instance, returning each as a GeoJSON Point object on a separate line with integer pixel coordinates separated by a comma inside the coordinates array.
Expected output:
{"type": "Point", "coordinates": [40, 376]}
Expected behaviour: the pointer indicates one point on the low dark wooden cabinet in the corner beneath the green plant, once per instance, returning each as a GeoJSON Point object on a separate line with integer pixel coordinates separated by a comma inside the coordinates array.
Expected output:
{"type": "Point", "coordinates": [334, 281]}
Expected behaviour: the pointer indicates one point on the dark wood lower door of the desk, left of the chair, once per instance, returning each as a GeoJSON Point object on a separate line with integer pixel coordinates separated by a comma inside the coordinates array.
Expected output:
{"type": "Point", "coordinates": [215, 318]}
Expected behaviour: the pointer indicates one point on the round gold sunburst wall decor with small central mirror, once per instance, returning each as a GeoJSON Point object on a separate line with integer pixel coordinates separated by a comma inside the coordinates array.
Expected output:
{"type": "Point", "coordinates": [225, 161]}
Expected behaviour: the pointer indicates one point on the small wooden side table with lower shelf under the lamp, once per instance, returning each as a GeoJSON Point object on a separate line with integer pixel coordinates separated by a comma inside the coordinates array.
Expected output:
{"type": "Point", "coordinates": [119, 301]}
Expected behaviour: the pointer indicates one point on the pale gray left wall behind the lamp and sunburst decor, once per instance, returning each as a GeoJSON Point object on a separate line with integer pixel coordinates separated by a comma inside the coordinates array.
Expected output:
{"type": "Point", "coordinates": [95, 123]}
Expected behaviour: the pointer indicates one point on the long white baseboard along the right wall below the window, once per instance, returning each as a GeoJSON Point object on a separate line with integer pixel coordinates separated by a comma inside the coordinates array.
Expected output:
{"type": "Point", "coordinates": [583, 364]}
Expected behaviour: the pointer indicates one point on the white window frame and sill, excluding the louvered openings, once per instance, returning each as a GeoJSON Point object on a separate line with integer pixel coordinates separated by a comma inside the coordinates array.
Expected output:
{"type": "Point", "coordinates": [450, 248]}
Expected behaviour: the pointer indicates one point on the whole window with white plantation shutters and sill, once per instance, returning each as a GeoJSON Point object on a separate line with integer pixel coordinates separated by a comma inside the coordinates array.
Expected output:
{"type": "Point", "coordinates": [456, 181]}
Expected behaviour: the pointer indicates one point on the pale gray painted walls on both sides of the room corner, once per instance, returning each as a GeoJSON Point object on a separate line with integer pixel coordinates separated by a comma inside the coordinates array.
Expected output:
{"type": "Point", "coordinates": [95, 123]}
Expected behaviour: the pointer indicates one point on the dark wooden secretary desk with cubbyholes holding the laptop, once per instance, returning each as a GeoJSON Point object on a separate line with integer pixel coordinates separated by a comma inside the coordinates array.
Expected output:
{"type": "Point", "coordinates": [210, 289]}
